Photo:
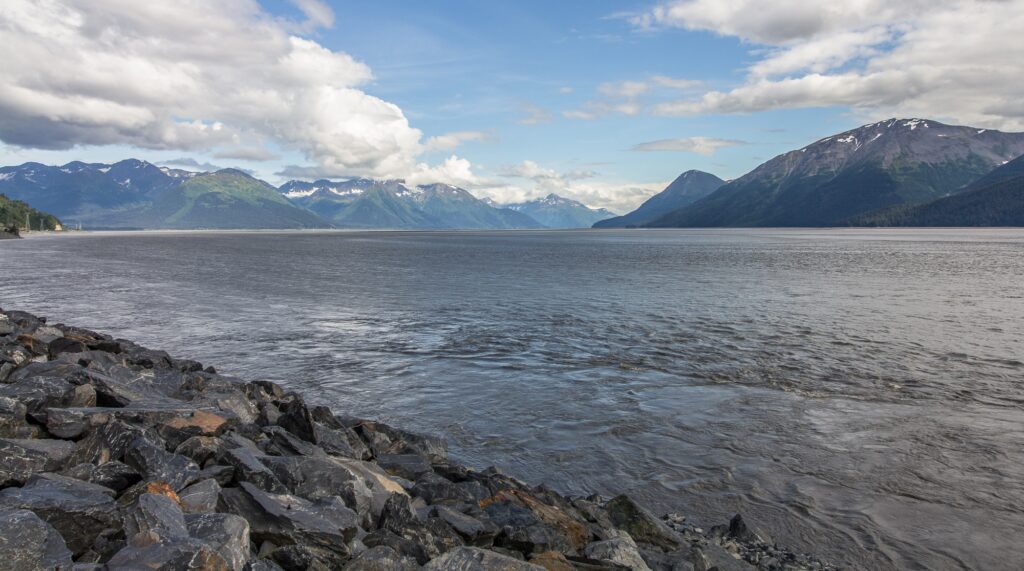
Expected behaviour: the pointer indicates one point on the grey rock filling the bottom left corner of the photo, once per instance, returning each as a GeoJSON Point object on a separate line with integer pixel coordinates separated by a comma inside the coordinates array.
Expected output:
{"type": "Point", "coordinates": [29, 543]}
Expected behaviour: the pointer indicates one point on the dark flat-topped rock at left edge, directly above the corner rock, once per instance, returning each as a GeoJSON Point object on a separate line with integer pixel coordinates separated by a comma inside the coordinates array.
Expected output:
{"type": "Point", "coordinates": [78, 510]}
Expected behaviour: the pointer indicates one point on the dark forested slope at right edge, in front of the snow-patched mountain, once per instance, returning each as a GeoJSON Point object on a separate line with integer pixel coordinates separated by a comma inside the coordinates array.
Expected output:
{"type": "Point", "coordinates": [989, 204]}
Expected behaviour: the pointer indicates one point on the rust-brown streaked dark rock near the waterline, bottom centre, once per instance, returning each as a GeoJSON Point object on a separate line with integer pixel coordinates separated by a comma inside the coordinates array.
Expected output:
{"type": "Point", "coordinates": [532, 528]}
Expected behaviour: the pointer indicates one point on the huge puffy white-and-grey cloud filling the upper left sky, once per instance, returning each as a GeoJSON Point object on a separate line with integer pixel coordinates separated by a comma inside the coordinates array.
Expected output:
{"type": "Point", "coordinates": [193, 76]}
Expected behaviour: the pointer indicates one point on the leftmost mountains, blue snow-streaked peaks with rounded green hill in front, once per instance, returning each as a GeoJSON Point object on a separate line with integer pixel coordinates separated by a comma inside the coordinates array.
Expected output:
{"type": "Point", "coordinates": [139, 195]}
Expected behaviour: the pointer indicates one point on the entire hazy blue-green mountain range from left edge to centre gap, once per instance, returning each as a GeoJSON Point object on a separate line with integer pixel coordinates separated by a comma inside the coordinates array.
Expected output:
{"type": "Point", "coordinates": [135, 194]}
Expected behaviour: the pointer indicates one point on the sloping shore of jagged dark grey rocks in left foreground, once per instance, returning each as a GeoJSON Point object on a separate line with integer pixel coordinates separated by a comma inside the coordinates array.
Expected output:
{"type": "Point", "coordinates": [118, 457]}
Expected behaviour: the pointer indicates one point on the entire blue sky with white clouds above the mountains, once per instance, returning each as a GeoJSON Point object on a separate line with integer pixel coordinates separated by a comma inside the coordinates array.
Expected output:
{"type": "Point", "coordinates": [604, 102]}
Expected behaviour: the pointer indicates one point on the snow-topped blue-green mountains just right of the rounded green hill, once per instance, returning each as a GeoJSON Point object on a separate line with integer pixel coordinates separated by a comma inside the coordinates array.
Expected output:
{"type": "Point", "coordinates": [391, 204]}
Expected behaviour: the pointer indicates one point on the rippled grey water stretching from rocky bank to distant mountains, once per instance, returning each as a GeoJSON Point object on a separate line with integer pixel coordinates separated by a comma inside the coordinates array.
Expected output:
{"type": "Point", "coordinates": [859, 393]}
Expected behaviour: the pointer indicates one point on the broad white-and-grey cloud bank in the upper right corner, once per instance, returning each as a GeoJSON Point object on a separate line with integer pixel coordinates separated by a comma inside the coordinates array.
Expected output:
{"type": "Point", "coordinates": [956, 60]}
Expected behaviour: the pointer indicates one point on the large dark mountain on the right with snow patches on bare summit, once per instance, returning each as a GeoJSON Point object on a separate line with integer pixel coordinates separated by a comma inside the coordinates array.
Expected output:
{"type": "Point", "coordinates": [894, 162]}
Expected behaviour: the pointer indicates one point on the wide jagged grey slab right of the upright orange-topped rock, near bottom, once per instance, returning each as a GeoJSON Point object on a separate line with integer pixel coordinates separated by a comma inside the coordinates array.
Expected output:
{"type": "Point", "coordinates": [285, 519]}
